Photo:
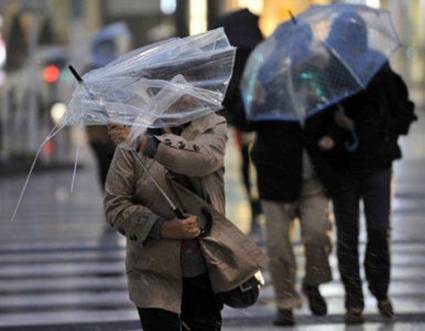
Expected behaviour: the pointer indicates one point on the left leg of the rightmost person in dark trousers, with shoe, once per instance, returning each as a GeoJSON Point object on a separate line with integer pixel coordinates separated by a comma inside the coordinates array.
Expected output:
{"type": "Point", "coordinates": [346, 202]}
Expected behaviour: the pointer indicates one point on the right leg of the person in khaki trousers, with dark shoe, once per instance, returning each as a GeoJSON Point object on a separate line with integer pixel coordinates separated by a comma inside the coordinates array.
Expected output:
{"type": "Point", "coordinates": [316, 227]}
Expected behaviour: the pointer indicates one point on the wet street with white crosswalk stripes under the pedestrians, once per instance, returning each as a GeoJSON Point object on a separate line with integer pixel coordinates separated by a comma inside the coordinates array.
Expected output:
{"type": "Point", "coordinates": [61, 267]}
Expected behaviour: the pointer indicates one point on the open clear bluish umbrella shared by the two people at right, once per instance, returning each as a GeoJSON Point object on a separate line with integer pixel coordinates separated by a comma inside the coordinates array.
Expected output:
{"type": "Point", "coordinates": [323, 56]}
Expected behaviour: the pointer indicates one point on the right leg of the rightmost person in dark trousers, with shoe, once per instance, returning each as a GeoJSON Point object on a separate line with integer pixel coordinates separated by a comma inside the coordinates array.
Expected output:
{"type": "Point", "coordinates": [376, 191]}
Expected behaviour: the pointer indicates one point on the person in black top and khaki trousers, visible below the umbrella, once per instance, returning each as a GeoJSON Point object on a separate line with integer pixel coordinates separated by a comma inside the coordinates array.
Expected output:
{"type": "Point", "coordinates": [289, 188]}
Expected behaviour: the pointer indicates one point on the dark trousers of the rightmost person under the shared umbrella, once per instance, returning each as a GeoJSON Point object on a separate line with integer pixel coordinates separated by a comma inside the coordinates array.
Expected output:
{"type": "Point", "coordinates": [375, 191]}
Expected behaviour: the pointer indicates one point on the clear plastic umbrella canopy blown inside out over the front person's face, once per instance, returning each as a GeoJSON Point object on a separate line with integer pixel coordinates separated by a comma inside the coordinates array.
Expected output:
{"type": "Point", "coordinates": [164, 84]}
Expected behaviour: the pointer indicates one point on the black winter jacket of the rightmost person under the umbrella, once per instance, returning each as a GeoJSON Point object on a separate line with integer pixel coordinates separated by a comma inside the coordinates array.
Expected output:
{"type": "Point", "coordinates": [381, 113]}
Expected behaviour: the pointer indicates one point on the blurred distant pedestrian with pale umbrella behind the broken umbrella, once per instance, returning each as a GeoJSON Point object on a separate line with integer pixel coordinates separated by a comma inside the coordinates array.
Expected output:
{"type": "Point", "coordinates": [107, 44]}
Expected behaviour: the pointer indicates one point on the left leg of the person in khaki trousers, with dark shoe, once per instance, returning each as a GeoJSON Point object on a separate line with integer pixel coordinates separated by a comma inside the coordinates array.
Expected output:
{"type": "Point", "coordinates": [279, 216]}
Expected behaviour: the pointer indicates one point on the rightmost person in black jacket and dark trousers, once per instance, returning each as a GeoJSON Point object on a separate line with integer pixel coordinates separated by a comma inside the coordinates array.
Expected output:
{"type": "Point", "coordinates": [378, 115]}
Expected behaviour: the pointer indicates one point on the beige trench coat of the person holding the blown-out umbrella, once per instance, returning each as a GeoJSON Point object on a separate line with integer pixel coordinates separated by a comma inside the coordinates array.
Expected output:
{"type": "Point", "coordinates": [133, 205]}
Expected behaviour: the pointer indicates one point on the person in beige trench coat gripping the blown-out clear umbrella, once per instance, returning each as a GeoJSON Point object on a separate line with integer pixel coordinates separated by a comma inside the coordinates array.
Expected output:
{"type": "Point", "coordinates": [168, 276]}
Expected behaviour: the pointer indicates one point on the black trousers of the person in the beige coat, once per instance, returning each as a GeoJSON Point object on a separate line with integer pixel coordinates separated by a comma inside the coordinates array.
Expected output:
{"type": "Point", "coordinates": [200, 310]}
